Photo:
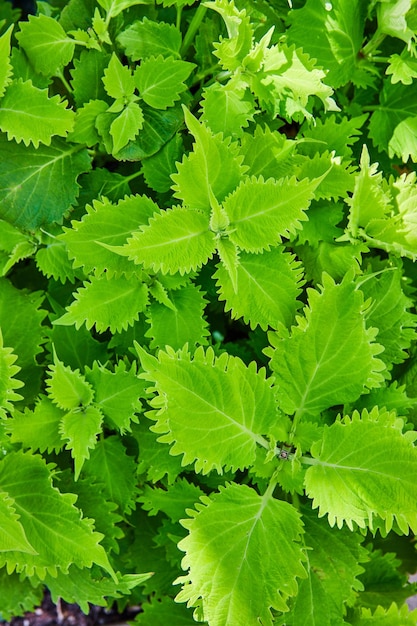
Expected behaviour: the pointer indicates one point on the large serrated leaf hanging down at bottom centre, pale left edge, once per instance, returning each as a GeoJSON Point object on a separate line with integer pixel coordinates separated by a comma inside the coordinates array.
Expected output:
{"type": "Point", "coordinates": [220, 580]}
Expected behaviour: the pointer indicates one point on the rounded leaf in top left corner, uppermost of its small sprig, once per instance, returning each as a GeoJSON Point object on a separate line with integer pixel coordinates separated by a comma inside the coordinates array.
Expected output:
{"type": "Point", "coordinates": [46, 44]}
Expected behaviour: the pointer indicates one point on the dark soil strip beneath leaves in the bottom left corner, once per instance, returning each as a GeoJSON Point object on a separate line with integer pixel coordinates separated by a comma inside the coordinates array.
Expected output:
{"type": "Point", "coordinates": [48, 614]}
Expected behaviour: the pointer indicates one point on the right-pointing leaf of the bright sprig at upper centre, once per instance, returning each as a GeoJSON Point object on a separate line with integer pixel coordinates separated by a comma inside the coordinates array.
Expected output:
{"type": "Point", "coordinates": [262, 212]}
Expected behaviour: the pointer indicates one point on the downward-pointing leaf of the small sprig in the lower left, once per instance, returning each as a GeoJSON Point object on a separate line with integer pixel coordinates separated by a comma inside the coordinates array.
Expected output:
{"type": "Point", "coordinates": [79, 428]}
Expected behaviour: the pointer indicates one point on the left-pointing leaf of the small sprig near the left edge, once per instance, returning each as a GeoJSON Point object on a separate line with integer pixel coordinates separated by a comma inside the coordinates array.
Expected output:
{"type": "Point", "coordinates": [38, 429]}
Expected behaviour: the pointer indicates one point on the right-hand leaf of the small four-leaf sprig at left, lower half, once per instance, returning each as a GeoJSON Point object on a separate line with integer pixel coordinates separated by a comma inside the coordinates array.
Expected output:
{"type": "Point", "coordinates": [117, 394]}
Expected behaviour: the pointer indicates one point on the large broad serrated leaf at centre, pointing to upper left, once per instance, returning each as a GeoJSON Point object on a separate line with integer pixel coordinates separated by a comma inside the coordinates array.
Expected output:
{"type": "Point", "coordinates": [201, 410]}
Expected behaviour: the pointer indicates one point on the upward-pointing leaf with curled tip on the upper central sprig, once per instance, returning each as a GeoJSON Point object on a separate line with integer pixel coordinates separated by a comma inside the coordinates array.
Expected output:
{"type": "Point", "coordinates": [214, 166]}
